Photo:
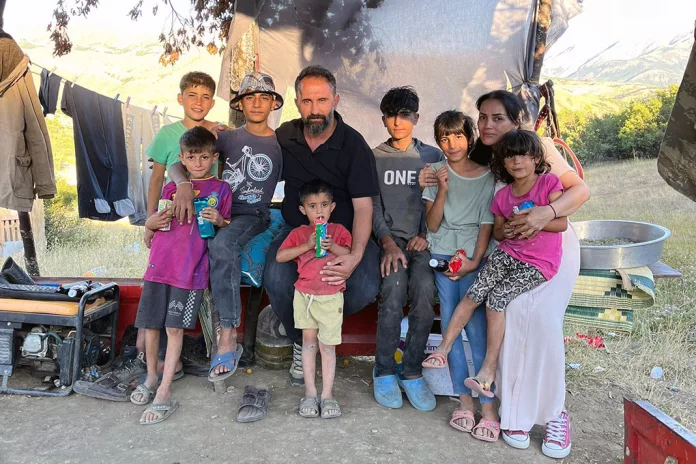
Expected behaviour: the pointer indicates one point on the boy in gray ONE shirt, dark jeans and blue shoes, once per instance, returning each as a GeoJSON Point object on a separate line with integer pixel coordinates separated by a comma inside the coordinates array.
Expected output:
{"type": "Point", "coordinates": [399, 226]}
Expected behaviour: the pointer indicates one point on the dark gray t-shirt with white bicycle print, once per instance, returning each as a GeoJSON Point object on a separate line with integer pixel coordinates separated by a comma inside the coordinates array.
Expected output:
{"type": "Point", "coordinates": [252, 166]}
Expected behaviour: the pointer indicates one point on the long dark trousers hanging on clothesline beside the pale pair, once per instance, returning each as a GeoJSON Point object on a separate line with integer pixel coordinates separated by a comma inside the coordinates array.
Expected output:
{"type": "Point", "coordinates": [100, 154]}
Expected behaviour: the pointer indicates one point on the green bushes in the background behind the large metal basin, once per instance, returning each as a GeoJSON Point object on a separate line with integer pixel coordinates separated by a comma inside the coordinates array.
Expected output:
{"type": "Point", "coordinates": [632, 132]}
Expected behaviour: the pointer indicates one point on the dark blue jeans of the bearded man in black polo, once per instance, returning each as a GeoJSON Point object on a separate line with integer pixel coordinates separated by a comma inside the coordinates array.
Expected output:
{"type": "Point", "coordinates": [279, 281]}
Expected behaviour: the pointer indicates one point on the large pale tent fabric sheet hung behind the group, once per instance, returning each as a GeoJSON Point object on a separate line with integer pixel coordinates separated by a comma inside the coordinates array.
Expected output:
{"type": "Point", "coordinates": [451, 52]}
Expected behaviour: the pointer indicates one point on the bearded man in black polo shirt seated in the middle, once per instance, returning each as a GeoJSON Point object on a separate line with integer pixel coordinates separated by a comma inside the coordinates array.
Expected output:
{"type": "Point", "coordinates": [320, 145]}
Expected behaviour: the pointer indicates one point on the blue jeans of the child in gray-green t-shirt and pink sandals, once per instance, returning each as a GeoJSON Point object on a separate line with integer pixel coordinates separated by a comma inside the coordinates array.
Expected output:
{"type": "Point", "coordinates": [451, 293]}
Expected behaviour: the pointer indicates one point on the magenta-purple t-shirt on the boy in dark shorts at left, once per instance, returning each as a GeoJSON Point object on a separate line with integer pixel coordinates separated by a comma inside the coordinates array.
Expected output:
{"type": "Point", "coordinates": [179, 257]}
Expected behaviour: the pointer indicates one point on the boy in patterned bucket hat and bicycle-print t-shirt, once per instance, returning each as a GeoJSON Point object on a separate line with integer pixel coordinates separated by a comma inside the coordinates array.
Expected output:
{"type": "Point", "coordinates": [252, 164]}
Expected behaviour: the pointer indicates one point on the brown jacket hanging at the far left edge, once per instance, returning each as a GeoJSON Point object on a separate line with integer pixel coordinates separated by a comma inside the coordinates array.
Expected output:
{"type": "Point", "coordinates": [26, 160]}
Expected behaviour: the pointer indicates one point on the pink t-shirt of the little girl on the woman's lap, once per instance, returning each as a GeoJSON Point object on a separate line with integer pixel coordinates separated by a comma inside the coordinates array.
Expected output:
{"type": "Point", "coordinates": [543, 251]}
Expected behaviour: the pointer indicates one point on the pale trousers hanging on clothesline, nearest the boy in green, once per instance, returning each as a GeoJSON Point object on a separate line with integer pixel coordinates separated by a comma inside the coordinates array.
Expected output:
{"type": "Point", "coordinates": [140, 127]}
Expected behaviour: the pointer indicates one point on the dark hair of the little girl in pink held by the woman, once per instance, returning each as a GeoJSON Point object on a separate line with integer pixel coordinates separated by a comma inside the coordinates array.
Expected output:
{"type": "Point", "coordinates": [518, 143]}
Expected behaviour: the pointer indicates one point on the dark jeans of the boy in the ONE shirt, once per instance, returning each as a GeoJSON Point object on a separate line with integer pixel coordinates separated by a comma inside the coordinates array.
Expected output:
{"type": "Point", "coordinates": [416, 283]}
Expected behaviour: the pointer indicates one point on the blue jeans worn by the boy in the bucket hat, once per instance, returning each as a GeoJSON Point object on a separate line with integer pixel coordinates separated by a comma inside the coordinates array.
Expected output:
{"type": "Point", "coordinates": [225, 263]}
